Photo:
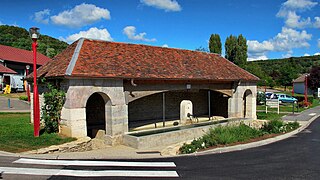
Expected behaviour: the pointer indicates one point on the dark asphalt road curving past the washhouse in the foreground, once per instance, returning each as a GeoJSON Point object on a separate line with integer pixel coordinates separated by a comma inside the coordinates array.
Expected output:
{"type": "Point", "coordinates": [297, 157]}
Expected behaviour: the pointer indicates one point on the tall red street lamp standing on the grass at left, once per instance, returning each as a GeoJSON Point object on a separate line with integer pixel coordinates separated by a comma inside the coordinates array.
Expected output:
{"type": "Point", "coordinates": [34, 34]}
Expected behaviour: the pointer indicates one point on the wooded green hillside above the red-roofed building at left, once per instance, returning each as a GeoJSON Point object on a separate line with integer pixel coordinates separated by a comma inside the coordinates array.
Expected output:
{"type": "Point", "coordinates": [19, 38]}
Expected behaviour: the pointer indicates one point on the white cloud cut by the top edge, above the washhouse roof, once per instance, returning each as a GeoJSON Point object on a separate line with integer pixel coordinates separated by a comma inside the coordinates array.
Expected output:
{"type": "Point", "coordinates": [167, 5]}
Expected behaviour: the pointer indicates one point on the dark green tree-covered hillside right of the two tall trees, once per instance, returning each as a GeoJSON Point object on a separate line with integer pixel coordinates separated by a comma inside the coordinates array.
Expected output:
{"type": "Point", "coordinates": [281, 72]}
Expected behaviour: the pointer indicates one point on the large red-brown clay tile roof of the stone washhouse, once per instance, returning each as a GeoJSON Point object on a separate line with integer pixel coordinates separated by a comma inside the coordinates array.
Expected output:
{"type": "Point", "coordinates": [101, 59]}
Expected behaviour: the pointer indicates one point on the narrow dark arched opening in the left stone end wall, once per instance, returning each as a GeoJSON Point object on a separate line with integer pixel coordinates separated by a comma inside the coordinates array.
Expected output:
{"type": "Point", "coordinates": [96, 112]}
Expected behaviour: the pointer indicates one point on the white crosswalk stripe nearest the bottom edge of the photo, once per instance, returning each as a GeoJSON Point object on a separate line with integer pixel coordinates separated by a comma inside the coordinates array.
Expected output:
{"type": "Point", "coordinates": [84, 173]}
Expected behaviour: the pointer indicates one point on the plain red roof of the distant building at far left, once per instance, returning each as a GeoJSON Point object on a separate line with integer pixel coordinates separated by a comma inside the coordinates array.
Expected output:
{"type": "Point", "coordinates": [20, 55]}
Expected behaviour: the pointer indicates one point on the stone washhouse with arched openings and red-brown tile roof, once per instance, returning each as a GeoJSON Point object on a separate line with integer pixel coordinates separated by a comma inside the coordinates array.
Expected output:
{"type": "Point", "coordinates": [114, 86]}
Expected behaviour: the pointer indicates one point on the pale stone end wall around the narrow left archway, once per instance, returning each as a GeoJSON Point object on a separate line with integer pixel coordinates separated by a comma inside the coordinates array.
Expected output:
{"type": "Point", "coordinates": [73, 118]}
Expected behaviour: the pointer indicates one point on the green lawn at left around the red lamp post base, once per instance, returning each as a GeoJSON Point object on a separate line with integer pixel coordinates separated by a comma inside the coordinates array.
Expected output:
{"type": "Point", "coordinates": [17, 134]}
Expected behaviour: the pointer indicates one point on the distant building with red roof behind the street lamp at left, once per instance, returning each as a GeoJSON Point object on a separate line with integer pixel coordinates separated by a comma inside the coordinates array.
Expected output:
{"type": "Point", "coordinates": [14, 61]}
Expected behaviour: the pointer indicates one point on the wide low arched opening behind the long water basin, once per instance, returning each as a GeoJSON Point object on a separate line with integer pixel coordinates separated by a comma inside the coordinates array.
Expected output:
{"type": "Point", "coordinates": [165, 106]}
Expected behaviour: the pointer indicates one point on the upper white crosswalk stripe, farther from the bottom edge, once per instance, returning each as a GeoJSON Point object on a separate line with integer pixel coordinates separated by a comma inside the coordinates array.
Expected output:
{"type": "Point", "coordinates": [94, 163]}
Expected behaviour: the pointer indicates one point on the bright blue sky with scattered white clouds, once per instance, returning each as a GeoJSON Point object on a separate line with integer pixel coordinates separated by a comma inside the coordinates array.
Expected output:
{"type": "Point", "coordinates": [273, 28]}
